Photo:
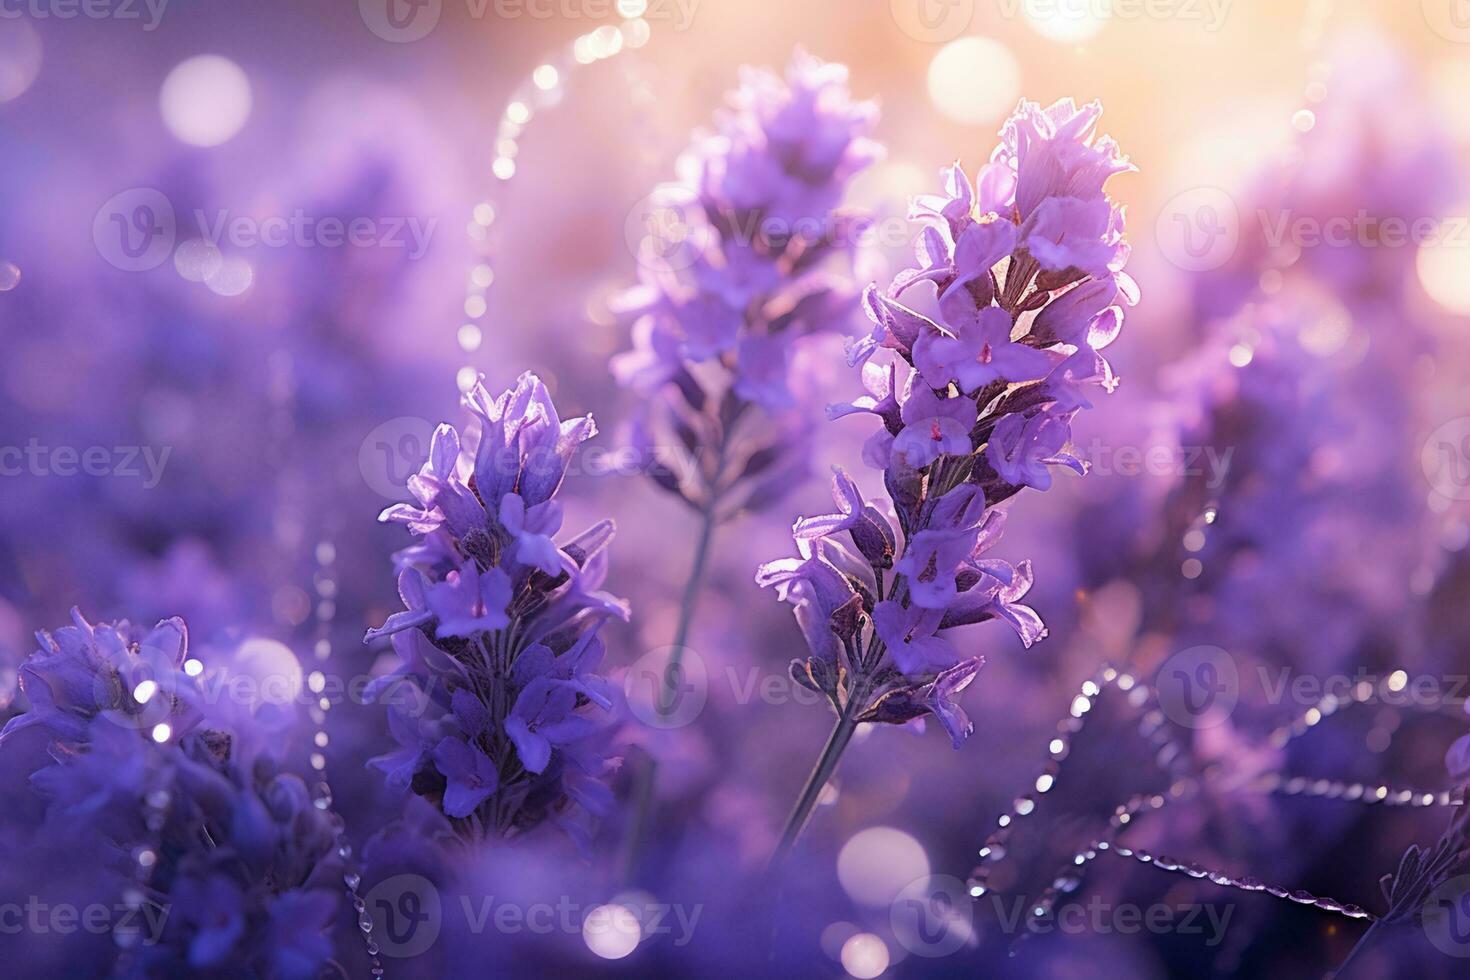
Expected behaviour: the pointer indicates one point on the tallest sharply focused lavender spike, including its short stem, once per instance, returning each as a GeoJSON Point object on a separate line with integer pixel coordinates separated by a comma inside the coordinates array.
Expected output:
{"type": "Point", "coordinates": [977, 403]}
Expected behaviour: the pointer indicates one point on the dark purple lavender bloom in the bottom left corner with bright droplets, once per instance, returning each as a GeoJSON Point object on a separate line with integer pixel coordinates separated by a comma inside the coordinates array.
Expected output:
{"type": "Point", "coordinates": [186, 819]}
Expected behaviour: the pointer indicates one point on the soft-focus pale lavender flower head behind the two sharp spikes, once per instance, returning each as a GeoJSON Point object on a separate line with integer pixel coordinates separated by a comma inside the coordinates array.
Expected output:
{"type": "Point", "coordinates": [743, 261]}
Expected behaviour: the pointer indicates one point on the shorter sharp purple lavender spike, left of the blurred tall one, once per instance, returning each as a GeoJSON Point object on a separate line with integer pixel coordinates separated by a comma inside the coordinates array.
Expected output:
{"type": "Point", "coordinates": [496, 706]}
